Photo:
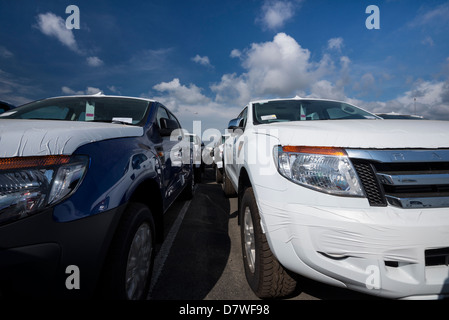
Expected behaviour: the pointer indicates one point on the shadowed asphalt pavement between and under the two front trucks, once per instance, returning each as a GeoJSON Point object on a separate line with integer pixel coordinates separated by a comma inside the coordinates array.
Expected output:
{"type": "Point", "coordinates": [201, 258]}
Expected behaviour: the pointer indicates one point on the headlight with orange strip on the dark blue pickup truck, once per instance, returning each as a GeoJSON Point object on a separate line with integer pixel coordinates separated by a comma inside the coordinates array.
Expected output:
{"type": "Point", "coordinates": [29, 184]}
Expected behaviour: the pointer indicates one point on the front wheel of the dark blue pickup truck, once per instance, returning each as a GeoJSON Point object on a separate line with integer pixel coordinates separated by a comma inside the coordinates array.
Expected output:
{"type": "Point", "coordinates": [130, 261]}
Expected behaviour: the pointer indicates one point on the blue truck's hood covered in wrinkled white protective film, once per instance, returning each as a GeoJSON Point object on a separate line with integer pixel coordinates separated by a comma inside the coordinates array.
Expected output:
{"type": "Point", "coordinates": [20, 138]}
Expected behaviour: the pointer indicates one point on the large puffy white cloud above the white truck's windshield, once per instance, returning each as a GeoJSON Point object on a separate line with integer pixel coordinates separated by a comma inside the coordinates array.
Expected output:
{"type": "Point", "coordinates": [280, 67]}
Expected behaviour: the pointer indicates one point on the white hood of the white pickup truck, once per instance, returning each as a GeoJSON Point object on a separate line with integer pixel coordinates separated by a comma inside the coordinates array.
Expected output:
{"type": "Point", "coordinates": [361, 134]}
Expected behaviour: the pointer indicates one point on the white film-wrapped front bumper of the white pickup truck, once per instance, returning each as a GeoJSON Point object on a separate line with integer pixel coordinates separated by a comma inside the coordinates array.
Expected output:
{"type": "Point", "coordinates": [344, 242]}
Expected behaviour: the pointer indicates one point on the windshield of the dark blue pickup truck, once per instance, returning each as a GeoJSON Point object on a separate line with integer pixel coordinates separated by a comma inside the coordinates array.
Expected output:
{"type": "Point", "coordinates": [98, 109]}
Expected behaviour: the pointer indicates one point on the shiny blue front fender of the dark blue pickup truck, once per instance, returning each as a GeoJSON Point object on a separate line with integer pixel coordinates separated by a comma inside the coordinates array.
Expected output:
{"type": "Point", "coordinates": [117, 166]}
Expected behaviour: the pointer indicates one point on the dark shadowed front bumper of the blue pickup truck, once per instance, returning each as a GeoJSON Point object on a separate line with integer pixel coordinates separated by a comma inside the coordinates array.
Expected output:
{"type": "Point", "coordinates": [36, 251]}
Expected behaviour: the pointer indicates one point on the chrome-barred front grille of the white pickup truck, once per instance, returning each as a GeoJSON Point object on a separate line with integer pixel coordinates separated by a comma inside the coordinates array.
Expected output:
{"type": "Point", "coordinates": [399, 178]}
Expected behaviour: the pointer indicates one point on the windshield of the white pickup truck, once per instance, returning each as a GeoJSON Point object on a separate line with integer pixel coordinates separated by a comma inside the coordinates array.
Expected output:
{"type": "Point", "coordinates": [306, 110]}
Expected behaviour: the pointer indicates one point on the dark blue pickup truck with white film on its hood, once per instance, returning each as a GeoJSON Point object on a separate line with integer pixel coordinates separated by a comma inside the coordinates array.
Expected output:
{"type": "Point", "coordinates": [84, 184]}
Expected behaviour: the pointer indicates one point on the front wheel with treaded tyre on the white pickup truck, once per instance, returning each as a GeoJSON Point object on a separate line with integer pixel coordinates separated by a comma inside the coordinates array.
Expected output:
{"type": "Point", "coordinates": [265, 275]}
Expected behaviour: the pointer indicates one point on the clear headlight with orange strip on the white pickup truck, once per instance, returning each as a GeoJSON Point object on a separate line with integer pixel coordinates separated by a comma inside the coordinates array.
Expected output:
{"type": "Point", "coordinates": [327, 170]}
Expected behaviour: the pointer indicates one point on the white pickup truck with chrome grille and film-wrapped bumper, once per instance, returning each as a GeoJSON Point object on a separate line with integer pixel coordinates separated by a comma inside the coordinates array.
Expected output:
{"type": "Point", "coordinates": [331, 192]}
